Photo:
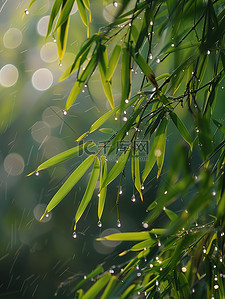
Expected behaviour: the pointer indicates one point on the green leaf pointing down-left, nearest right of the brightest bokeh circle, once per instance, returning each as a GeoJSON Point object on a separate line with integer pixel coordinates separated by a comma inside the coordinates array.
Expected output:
{"type": "Point", "coordinates": [80, 81]}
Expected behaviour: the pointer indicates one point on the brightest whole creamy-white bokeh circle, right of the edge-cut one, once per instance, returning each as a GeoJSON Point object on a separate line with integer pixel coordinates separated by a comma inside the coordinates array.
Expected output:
{"type": "Point", "coordinates": [42, 79]}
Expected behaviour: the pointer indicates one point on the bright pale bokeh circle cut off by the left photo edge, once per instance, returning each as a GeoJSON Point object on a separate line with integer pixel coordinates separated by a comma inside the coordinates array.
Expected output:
{"type": "Point", "coordinates": [8, 75]}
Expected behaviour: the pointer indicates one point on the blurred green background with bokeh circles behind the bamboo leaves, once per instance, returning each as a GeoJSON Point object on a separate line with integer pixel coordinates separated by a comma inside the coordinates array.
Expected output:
{"type": "Point", "coordinates": [37, 258]}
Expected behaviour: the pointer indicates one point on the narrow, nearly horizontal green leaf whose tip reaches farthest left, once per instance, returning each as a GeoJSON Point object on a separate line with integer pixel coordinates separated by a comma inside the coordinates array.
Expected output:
{"type": "Point", "coordinates": [73, 152]}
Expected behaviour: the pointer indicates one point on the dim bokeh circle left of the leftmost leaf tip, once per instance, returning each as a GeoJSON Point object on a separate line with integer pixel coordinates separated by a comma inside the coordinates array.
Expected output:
{"type": "Point", "coordinates": [14, 164]}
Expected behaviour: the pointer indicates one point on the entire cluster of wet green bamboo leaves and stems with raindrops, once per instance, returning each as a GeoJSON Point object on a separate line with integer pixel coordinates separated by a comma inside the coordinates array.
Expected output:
{"type": "Point", "coordinates": [184, 259]}
